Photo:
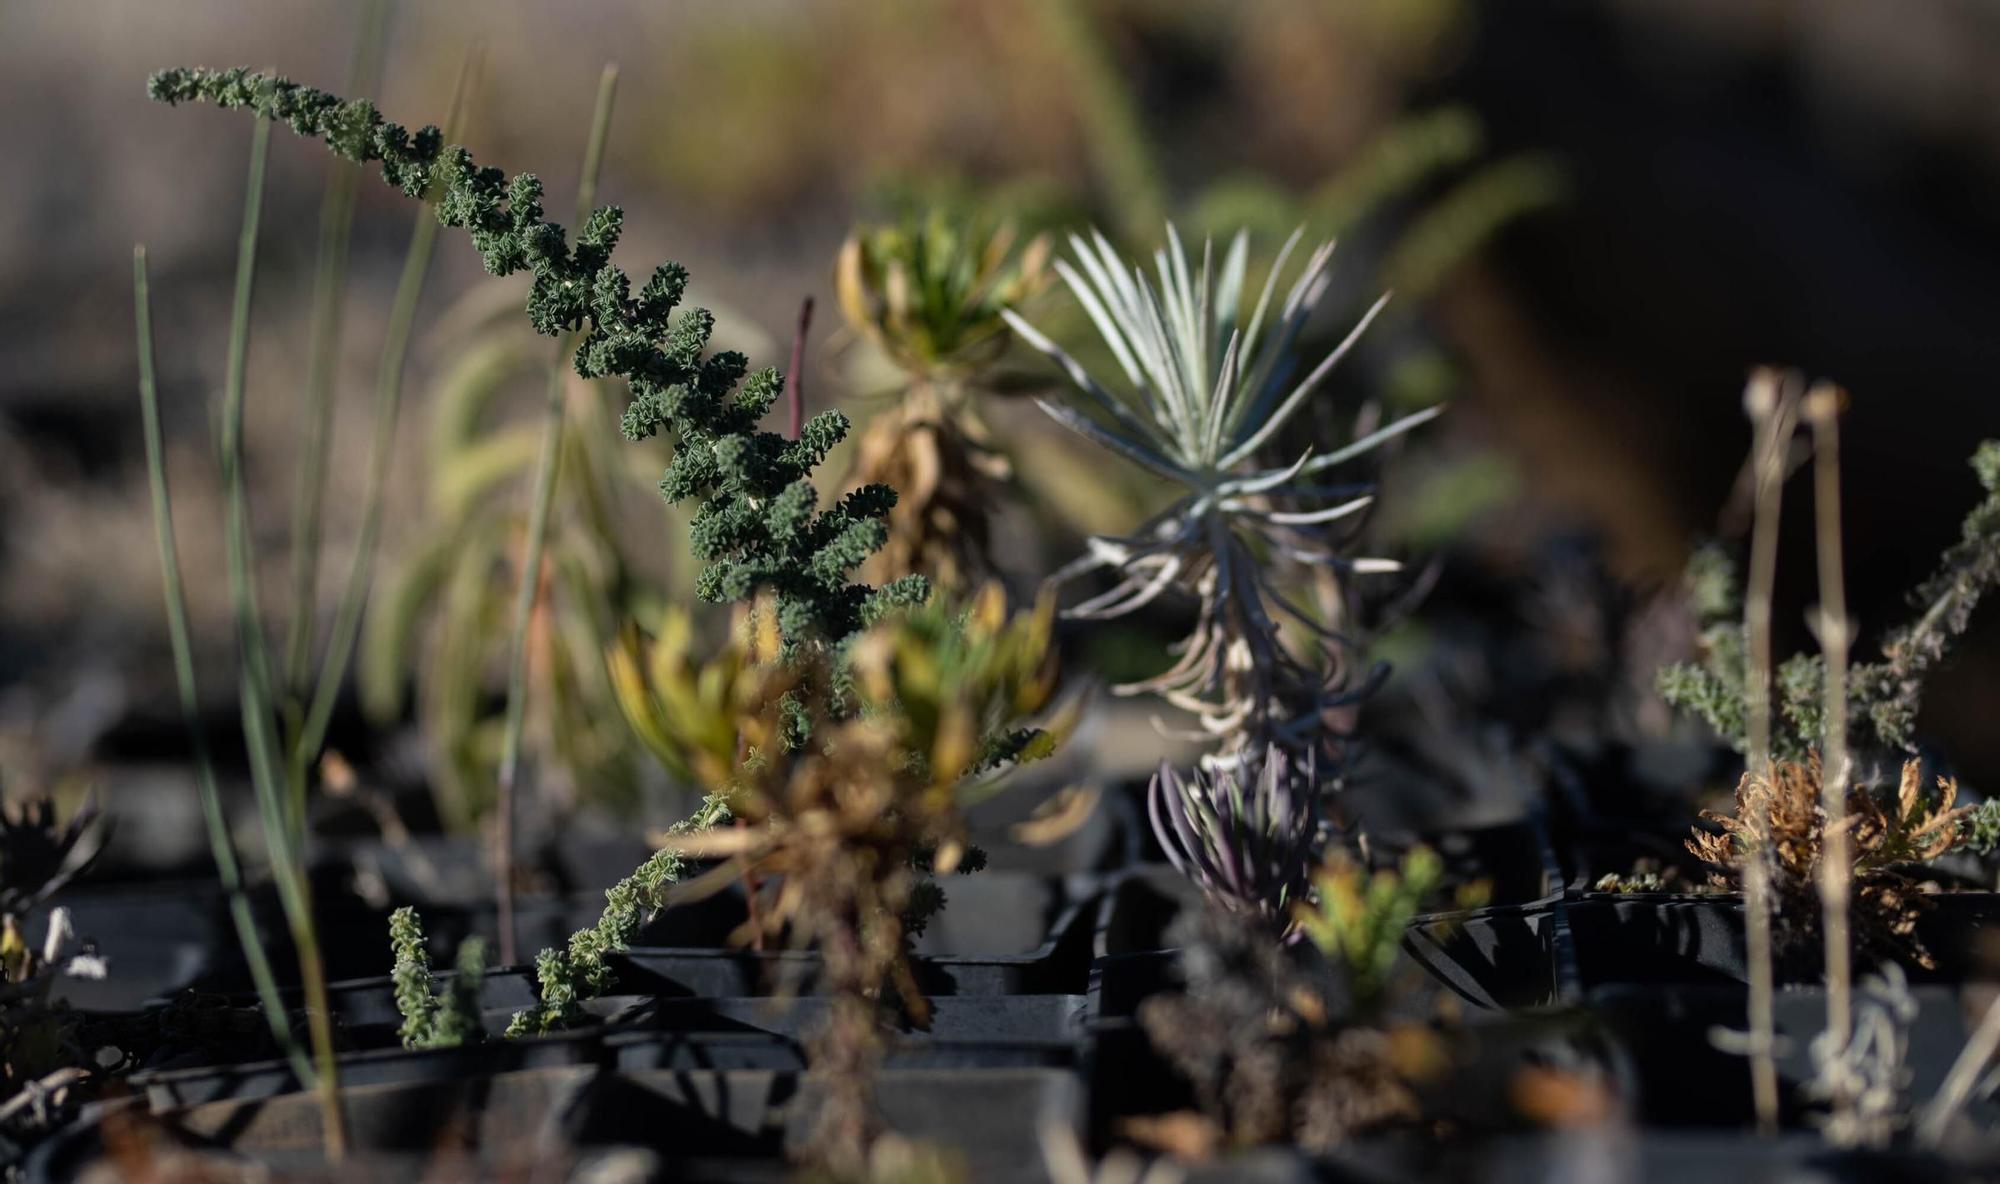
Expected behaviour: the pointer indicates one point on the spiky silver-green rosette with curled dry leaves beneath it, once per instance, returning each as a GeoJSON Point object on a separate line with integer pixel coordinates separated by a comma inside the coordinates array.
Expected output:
{"type": "Point", "coordinates": [1203, 399]}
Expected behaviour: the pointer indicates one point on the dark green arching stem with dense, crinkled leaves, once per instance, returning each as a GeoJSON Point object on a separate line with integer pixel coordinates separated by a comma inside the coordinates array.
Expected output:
{"type": "Point", "coordinates": [757, 523]}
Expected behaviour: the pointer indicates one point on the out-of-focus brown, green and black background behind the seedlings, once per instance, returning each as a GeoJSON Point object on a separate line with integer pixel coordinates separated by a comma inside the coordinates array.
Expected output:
{"type": "Point", "coordinates": [1595, 215]}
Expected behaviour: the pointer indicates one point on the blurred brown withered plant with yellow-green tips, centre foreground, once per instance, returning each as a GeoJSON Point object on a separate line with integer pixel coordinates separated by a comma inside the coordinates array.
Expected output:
{"type": "Point", "coordinates": [845, 827]}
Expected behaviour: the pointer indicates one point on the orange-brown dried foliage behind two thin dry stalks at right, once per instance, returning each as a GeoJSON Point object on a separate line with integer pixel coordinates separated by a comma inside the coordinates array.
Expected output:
{"type": "Point", "coordinates": [1889, 839]}
